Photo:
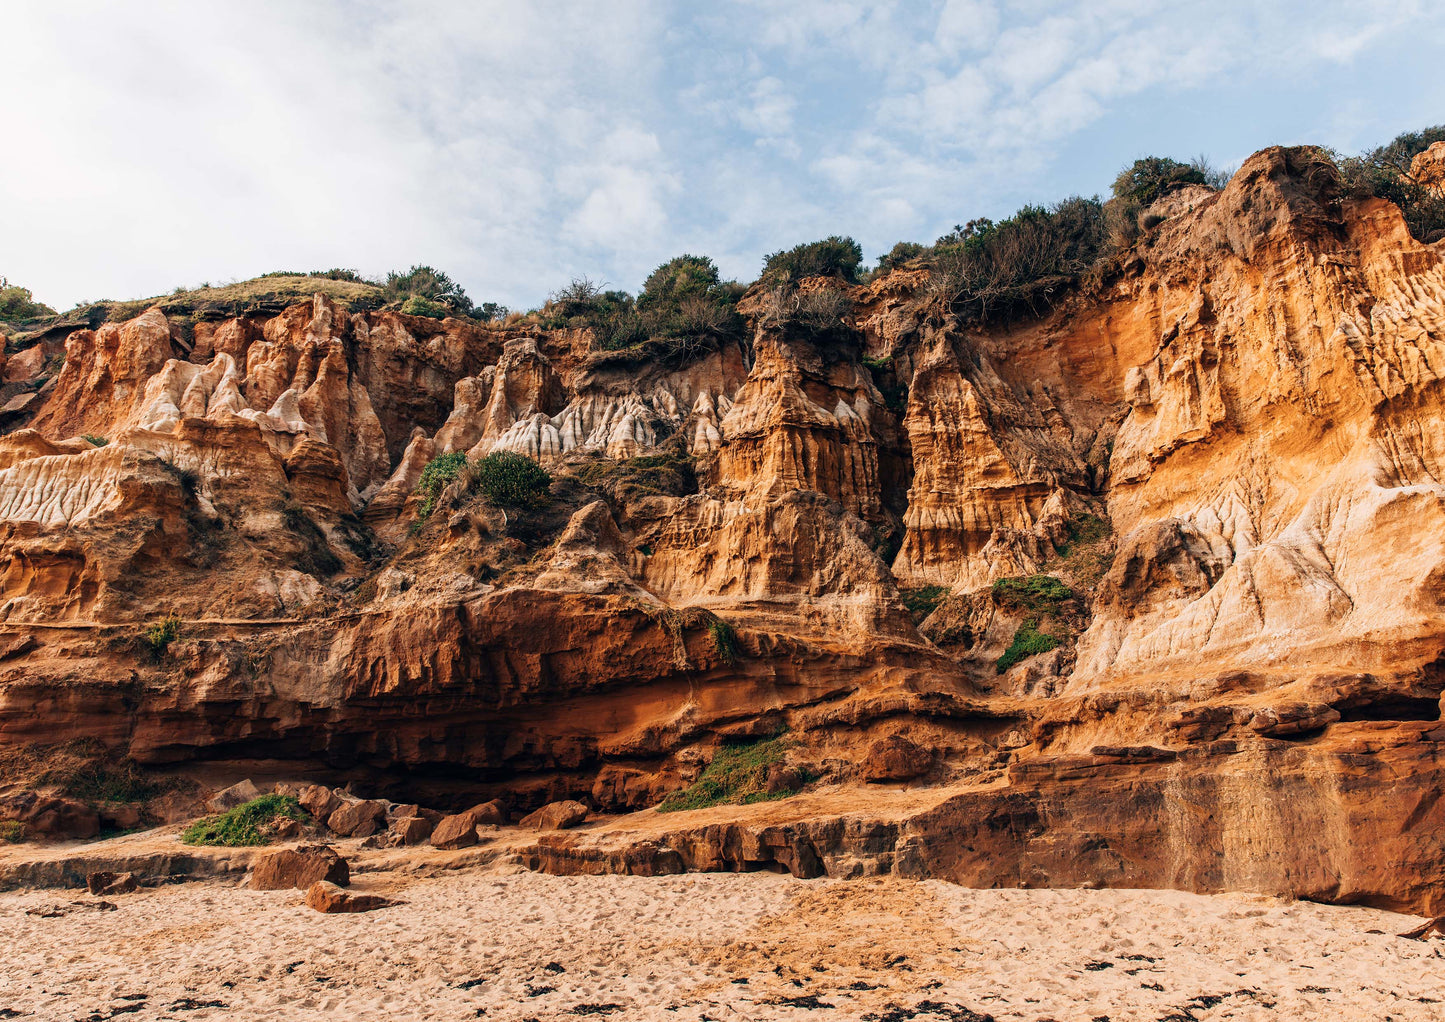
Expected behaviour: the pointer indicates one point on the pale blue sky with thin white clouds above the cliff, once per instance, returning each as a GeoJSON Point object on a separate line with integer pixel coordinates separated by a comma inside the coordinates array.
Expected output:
{"type": "Point", "coordinates": [519, 145]}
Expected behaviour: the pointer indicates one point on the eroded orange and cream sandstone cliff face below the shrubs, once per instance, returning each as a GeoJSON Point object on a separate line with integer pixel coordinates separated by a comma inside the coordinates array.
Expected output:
{"type": "Point", "coordinates": [1225, 456]}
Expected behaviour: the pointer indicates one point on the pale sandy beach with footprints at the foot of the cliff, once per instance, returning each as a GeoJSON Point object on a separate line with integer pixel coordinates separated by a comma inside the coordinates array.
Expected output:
{"type": "Point", "coordinates": [512, 946]}
